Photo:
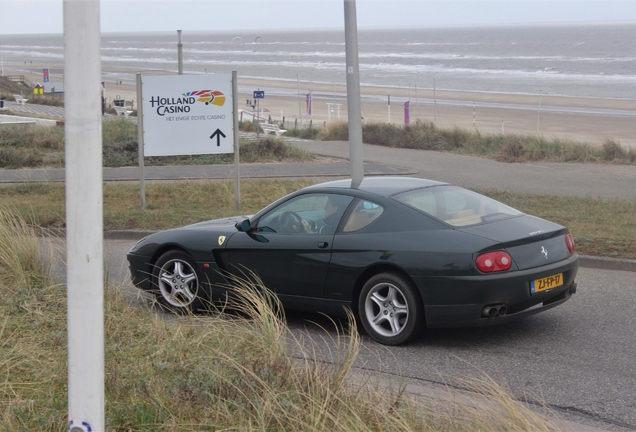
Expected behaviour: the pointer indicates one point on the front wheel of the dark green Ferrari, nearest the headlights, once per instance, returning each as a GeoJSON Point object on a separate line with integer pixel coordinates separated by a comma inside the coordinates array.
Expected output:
{"type": "Point", "coordinates": [176, 282]}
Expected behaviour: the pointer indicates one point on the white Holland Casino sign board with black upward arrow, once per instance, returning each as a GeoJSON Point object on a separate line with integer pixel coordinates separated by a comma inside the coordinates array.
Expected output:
{"type": "Point", "coordinates": [178, 120]}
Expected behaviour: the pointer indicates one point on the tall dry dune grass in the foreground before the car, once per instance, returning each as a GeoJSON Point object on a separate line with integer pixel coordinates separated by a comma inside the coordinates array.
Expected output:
{"type": "Point", "coordinates": [218, 371]}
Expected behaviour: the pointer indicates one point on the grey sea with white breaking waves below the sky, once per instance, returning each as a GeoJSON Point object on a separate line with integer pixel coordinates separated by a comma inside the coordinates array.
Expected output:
{"type": "Point", "coordinates": [595, 60]}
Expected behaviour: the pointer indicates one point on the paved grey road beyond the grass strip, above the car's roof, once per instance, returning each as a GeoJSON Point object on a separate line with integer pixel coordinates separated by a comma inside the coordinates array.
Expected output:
{"type": "Point", "coordinates": [547, 178]}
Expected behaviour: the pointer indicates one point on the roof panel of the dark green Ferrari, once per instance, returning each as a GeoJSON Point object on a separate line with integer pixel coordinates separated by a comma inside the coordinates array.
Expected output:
{"type": "Point", "coordinates": [384, 186]}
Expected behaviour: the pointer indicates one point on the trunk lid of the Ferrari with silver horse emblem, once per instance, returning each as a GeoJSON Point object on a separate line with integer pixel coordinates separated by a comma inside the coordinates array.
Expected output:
{"type": "Point", "coordinates": [530, 241]}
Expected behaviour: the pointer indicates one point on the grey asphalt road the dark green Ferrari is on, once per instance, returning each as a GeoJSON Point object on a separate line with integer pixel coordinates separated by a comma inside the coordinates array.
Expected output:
{"type": "Point", "coordinates": [577, 358]}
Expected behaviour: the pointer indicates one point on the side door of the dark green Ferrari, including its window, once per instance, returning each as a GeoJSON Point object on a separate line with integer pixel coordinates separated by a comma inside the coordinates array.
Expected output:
{"type": "Point", "coordinates": [288, 247]}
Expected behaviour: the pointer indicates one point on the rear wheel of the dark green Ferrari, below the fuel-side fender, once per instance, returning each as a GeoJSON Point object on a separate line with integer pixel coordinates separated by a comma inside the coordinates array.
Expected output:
{"type": "Point", "coordinates": [390, 309]}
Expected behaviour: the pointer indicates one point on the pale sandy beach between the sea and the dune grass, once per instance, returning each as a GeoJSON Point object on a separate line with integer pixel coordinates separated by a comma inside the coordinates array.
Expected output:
{"type": "Point", "coordinates": [510, 113]}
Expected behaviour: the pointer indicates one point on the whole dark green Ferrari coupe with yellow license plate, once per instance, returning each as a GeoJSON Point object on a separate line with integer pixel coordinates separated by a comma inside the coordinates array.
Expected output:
{"type": "Point", "coordinates": [402, 253]}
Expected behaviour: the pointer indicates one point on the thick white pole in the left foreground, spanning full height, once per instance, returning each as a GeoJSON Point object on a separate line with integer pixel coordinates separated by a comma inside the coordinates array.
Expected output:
{"type": "Point", "coordinates": [84, 212]}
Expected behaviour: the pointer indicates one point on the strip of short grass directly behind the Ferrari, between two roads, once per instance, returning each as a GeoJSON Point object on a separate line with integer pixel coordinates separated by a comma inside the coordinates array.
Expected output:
{"type": "Point", "coordinates": [600, 227]}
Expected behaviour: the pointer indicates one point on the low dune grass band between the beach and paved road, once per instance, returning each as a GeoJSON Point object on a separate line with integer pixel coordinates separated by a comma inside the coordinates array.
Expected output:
{"type": "Point", "coordinates": [32, 146]}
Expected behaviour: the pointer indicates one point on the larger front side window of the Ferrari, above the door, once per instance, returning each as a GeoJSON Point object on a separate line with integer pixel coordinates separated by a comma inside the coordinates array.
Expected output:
{"type": "Point", "coordinates": [306, 214]}
